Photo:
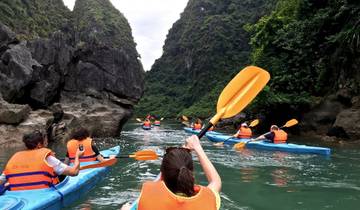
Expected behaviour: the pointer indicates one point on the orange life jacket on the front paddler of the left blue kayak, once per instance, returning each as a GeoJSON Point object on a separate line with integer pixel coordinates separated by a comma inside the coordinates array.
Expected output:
{"type": "Point", "coordinates": [89, 154]}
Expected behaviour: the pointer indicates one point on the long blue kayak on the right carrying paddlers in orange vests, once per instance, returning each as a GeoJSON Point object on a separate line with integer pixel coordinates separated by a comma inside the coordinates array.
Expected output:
{"type": "Point", "coordinates": [266, 145]}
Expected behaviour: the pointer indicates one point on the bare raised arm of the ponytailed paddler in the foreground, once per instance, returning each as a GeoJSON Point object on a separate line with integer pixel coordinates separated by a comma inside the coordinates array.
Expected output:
{"type": "Point", "coordinates": [212, 175]}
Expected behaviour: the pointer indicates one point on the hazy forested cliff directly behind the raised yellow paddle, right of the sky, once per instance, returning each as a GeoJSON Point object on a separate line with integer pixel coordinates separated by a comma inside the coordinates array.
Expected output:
{"type": "Point", "coordinates": [202, 52]}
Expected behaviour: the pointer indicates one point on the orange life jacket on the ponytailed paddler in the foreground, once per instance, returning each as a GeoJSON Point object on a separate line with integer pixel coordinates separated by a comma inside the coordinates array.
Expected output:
{"type": "Point", "coordinates": [155, 195]}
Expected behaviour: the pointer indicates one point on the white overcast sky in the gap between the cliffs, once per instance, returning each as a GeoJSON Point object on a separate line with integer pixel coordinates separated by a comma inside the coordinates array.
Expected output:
{"type": "Point", "coordinates": [150, 21]}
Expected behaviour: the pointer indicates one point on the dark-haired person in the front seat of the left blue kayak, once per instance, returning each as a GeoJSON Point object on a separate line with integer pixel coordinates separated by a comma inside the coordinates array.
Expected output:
{"type": "Point", "coordinates": [81, 139]}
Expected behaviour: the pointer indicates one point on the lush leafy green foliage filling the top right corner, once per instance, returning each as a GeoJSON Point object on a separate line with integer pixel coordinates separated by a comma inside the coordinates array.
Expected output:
{"type": "Point", "coordinates": [309, 47]}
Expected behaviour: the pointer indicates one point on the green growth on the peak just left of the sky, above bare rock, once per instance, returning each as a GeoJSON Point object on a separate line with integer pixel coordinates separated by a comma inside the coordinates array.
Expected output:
{"type": "Point", "coordinates": [100, 22]}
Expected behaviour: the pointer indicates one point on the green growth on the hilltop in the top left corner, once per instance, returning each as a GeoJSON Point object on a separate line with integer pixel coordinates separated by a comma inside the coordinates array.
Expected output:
{"type": "Point", "coordinates": [36, 18]}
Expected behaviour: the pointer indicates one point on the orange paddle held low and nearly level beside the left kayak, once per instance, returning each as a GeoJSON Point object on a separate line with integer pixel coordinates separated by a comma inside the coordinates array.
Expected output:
{"type": "Point", "coordinates": [140, 155]}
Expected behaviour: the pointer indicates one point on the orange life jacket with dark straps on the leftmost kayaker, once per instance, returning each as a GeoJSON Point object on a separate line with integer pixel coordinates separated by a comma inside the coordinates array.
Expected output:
{"type": "Point", "coordinates": [28, 170]}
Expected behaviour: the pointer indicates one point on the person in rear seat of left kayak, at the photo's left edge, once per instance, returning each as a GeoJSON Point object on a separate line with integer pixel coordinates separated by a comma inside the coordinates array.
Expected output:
{"type": "Point", "coordinates": [36, 167]}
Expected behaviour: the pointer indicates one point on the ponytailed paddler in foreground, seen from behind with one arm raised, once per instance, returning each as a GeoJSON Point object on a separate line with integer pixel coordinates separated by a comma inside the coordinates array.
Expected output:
{"type": "Point", "coordinates": [176, 188]}
